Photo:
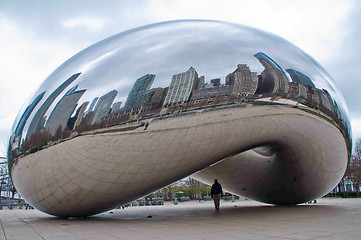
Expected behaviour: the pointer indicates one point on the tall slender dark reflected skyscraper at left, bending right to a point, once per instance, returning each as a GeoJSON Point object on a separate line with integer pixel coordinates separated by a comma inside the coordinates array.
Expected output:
{"type": "Point", "coordinates": [38, 120]}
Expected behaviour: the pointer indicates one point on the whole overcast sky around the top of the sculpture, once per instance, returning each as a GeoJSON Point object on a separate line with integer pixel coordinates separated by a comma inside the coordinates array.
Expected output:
{"type": "Point", "coordinates": [37, 36]}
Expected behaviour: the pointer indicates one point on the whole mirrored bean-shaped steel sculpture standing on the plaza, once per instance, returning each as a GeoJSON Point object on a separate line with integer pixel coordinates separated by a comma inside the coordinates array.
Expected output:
{"type": "Point", "coordinates": [152, 105]}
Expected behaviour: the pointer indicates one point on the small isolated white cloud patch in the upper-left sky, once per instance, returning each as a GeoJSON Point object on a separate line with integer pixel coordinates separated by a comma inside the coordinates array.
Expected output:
{"type": "Point", "coordinates": [89, 23]}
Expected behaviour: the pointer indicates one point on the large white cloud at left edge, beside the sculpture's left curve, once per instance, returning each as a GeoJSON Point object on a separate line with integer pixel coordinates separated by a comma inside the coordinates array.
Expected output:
{"type": "Point", "coordinates": [26, 61]}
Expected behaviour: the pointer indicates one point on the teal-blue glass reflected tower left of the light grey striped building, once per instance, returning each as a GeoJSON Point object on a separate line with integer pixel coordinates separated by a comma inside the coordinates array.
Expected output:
{"type": "Point", "coordinates": [139, 94]}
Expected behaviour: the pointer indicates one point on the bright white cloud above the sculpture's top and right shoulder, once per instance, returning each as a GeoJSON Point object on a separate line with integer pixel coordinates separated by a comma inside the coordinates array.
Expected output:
{"type": "Point", "coordinates": [314, 26]}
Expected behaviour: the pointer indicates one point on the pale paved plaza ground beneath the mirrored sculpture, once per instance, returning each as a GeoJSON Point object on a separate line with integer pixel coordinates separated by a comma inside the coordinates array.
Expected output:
{"type": "Point", "coordinates": [328, 219]}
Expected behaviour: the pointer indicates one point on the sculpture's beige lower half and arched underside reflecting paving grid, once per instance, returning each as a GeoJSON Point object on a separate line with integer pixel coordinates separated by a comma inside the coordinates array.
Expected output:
{"type": "Point", "coordinates": [297, 156]}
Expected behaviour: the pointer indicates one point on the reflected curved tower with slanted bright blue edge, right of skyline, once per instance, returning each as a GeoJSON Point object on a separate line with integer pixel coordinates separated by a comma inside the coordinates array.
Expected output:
{"type": "Point", "coordinates": [273, 73]}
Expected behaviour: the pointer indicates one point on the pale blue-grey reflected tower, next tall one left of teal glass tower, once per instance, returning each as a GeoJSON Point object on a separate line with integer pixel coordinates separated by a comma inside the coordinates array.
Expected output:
{"type": "Point", "coordinates": [102, 109]}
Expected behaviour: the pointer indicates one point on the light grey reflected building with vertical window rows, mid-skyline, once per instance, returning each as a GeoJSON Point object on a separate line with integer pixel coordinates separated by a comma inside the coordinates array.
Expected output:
{"type": "Point", "coordinates": [181, 87]}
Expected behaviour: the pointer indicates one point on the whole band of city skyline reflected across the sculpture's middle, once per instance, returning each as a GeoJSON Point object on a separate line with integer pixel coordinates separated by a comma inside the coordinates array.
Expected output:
{"type": "Point", "coordinates": [186, 91]}
